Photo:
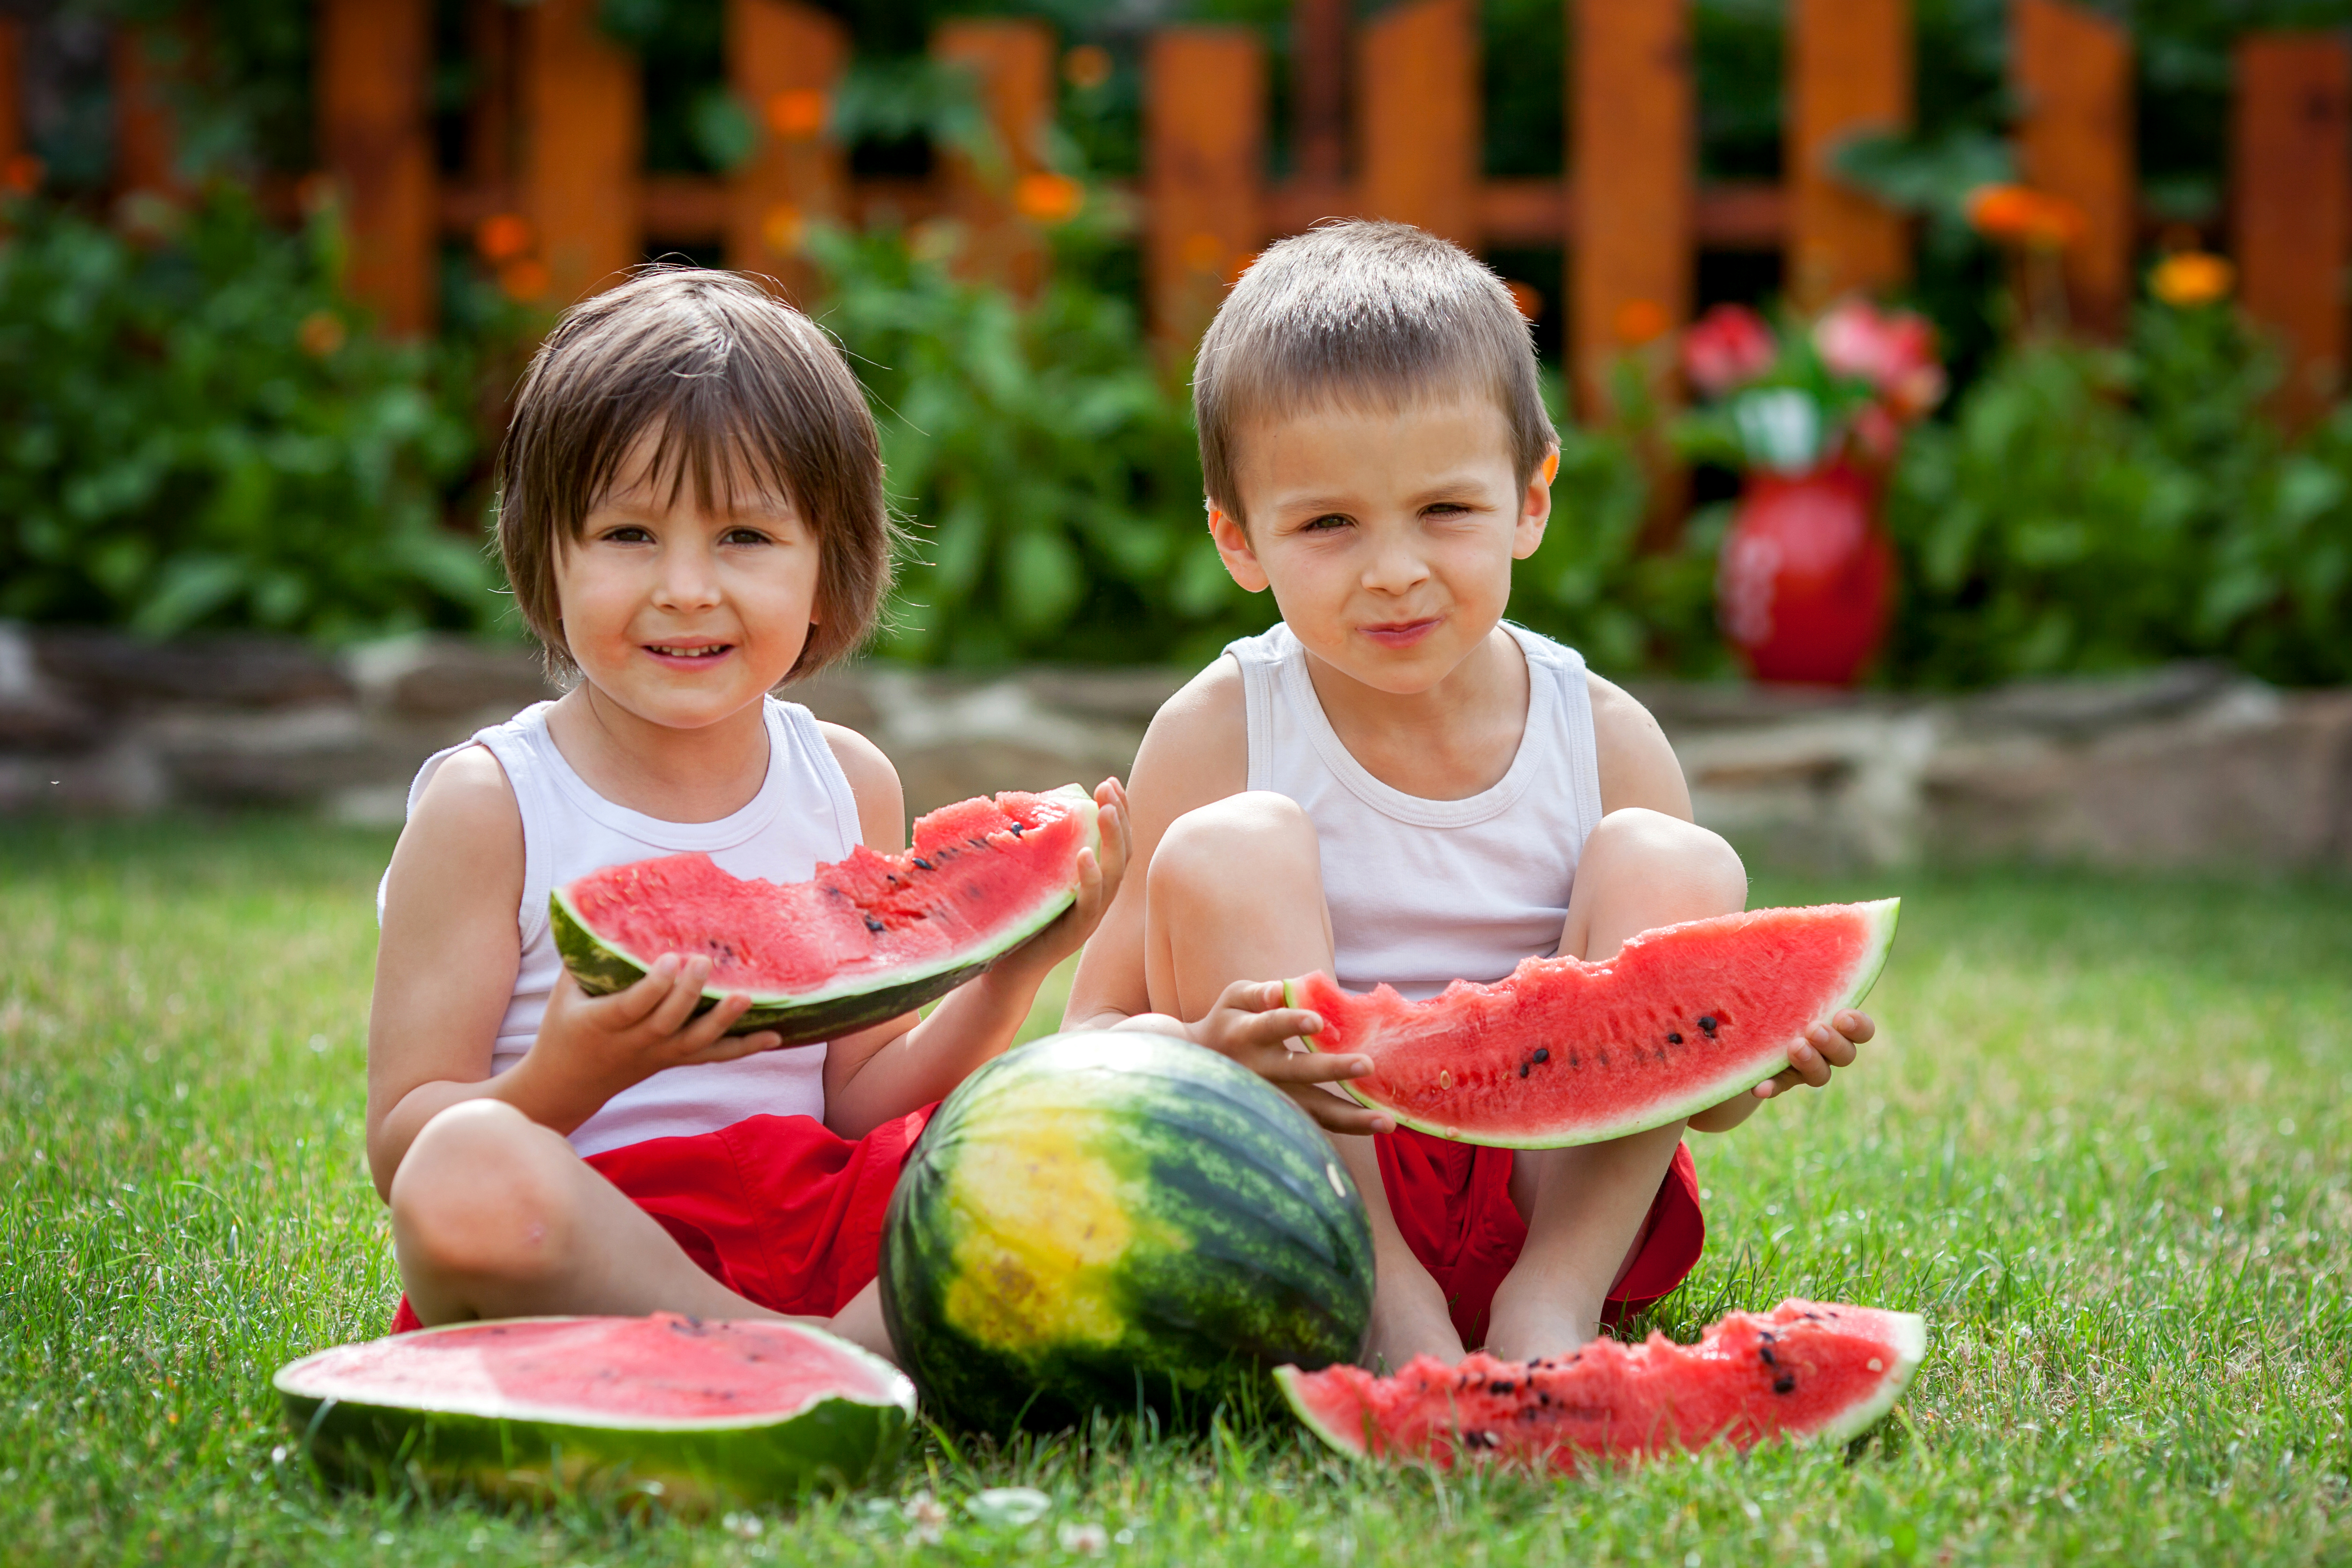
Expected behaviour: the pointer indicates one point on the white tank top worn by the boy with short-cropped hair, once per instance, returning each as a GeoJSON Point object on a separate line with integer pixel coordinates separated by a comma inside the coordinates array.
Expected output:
{"type": "Point", "coordinates": [1426, 892]}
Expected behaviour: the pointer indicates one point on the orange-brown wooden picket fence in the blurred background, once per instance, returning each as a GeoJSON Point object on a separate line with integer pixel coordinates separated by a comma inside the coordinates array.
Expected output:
{"type": "Point", "coordinates": [556, 147]}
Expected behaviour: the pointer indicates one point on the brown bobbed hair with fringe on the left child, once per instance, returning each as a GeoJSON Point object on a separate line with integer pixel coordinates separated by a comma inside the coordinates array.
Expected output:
{"type": "Point", "coordinates": [737, 387]}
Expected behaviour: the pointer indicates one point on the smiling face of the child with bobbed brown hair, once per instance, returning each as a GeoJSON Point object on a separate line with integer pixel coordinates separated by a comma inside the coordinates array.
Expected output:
{"type": "Point", "coordinates": [679, 615]}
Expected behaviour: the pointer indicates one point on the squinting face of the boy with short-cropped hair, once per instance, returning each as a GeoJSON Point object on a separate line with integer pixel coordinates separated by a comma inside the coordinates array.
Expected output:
{"type": "Point", "coordinates": [1387, 535]}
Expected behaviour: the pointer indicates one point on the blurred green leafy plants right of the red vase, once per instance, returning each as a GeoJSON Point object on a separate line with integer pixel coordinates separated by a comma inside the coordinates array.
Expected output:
{"type": "Point", "coordinates": [2102, 509]}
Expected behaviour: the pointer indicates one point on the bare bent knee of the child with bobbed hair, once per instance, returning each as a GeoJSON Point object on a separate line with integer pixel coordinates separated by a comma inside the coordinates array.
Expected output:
{"type": "Point", "coordinates": [481, 1195]}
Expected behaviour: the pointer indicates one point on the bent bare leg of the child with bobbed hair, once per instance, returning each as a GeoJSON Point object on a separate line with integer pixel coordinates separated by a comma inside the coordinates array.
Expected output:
{"type": "Point", "coordinates": [497, 1217]}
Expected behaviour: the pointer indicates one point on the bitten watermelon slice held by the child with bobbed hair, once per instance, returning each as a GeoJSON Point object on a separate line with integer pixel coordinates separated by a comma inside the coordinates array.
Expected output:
{"type": "Point", "coordinates": [862, 942]}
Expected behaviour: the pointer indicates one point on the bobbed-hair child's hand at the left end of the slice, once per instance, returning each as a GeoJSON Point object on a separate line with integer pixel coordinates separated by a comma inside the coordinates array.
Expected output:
{"type": "Point", "coordinates": [596, 1047]}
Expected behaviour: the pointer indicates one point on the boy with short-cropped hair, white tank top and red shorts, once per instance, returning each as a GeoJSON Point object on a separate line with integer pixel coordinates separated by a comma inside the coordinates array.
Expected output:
{"type": "Point", "coordinates": [1398, 786]}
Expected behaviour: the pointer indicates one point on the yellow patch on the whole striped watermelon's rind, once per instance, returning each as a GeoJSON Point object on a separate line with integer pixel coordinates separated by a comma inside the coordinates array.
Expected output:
{"type": "Point", "coordinates": [1045, 1233]}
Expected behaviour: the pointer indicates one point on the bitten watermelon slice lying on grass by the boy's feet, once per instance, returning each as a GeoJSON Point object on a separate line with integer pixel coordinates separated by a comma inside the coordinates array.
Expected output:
{"type": "Point", "coordinates": [1803, 1372]}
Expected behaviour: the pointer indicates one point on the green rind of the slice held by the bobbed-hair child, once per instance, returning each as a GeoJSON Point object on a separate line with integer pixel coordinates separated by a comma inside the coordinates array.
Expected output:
{"type": "Point", "coordinates": [850, 1005]}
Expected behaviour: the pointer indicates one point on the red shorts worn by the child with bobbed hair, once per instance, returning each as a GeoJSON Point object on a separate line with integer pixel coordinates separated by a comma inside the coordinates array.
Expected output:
{"type": "Point", "coordinates": [777, 1209]}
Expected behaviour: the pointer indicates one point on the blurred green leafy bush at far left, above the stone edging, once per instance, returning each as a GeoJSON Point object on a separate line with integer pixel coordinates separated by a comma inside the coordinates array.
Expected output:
{"type": "Point", "coordinates": [196, 431]}
